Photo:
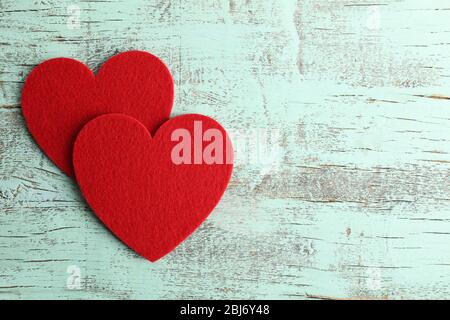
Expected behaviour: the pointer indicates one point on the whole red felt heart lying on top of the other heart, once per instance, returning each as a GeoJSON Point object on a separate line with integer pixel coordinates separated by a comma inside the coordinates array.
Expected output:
{"type": "Point", "coordinates": [152, 193]}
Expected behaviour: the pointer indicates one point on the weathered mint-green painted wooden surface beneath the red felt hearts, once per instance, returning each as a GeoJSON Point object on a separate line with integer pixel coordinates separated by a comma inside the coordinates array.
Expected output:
{"type": "Point", "coordinates": [358, 205]}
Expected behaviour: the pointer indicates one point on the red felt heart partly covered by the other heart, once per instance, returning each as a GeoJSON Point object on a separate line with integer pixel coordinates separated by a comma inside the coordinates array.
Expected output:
{"type": "Point", "coordinates": [61, 95]}
